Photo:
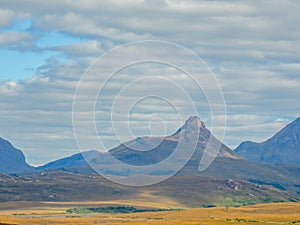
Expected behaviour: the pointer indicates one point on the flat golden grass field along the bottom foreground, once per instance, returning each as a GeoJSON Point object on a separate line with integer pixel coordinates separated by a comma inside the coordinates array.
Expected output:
{"type": "Point", "coordinates": [55, 213]}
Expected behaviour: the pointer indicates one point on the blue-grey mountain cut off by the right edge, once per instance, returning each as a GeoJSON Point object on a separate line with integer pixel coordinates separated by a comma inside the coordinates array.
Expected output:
{"type": "Point", "coordinates": [282, 148]}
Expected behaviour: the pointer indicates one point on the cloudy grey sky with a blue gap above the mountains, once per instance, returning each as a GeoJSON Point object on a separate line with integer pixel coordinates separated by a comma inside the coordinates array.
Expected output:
{"type": "Point", "coordinates": [251, 47]}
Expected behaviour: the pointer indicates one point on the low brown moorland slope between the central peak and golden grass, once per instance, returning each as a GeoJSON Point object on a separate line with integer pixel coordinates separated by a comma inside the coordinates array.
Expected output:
{"type": "Point", "coordinates": [182, 191]}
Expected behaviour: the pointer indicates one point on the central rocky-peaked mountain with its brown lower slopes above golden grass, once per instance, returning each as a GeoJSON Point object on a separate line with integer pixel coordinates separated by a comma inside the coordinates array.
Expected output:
{"type": "Point", "coordinates": [229, 177]}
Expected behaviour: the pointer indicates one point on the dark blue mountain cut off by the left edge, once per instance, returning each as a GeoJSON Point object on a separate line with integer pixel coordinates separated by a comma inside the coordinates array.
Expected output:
{"type": "Point", "coordinates": [12, 160]}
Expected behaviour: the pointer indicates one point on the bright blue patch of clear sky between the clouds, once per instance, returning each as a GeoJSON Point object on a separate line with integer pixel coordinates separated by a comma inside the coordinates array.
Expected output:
{"type": "Point", "coordinates": [21, 63]}
